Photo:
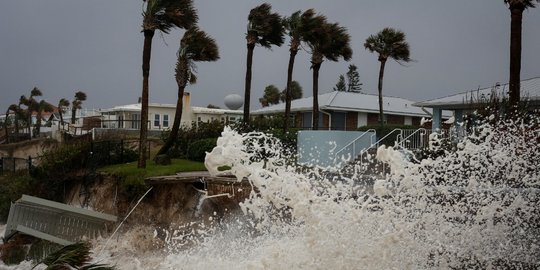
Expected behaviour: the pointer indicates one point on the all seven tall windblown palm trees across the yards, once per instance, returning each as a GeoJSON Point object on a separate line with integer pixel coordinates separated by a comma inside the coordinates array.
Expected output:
{"type": "Point", "coordinates": [325, 40]}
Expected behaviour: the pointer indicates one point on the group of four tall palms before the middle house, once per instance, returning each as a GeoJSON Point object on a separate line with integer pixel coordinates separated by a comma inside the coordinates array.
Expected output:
{"type": "Point", "coordinates": [324, 40]}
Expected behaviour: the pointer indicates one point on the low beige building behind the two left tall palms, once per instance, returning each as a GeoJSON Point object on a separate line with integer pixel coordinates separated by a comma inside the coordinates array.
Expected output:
{"type": "Point", "coordinates": [161, 116]}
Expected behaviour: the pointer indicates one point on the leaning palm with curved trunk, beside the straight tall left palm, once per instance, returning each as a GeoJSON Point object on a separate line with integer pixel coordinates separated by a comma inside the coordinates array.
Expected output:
{"type": "Point", "coordinates": [195, 46]}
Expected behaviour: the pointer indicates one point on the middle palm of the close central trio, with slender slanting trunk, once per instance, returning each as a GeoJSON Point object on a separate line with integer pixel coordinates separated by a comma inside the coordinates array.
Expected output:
{"type": "Point", "coordinates": [297, 26]}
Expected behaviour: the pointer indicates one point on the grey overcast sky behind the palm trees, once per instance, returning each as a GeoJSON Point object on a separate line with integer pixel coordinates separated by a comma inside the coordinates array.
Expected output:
{"type": "Point", "coordinates": [62, 46]}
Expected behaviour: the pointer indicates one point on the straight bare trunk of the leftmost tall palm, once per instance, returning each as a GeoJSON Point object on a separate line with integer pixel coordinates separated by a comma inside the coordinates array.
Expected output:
{"type": "Point", "coordinates": [147, 50]}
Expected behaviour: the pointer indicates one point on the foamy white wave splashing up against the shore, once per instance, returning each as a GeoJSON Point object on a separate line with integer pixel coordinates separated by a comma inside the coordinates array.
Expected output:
{"type": "Point", "coordinates": [475, 206]}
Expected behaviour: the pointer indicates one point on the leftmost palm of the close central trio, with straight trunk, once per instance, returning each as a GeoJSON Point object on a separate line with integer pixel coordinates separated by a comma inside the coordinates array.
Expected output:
{"type": "Point", "coordinates": [266, 29]}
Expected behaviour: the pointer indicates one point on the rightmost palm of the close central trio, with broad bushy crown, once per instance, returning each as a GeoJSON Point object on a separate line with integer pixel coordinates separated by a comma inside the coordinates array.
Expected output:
{"type": "Point", "coordinates": [329, 41]}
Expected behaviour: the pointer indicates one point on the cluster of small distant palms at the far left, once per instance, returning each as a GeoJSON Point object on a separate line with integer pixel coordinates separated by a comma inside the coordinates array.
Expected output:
{"type": "Point", "coordinates": [27, 106]}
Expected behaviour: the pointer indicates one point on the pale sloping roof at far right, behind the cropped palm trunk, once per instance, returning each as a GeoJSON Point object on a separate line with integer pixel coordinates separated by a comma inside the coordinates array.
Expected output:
{"type": "Point", "coordinates": [530, 90]}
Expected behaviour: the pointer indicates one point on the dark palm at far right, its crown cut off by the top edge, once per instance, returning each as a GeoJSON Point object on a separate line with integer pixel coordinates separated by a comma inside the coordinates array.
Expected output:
{"type": "Point", "coordinates": [516, 10]}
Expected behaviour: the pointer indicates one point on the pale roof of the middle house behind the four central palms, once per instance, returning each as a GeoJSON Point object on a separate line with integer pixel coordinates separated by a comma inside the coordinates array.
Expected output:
{"type": "Point", "coordinates": [349, 101]}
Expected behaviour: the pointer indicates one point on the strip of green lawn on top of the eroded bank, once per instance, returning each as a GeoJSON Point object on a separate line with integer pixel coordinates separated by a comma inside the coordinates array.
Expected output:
{"type": "Point", "coordinates": [132, 178]}
